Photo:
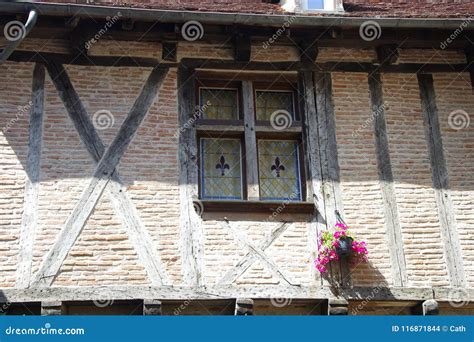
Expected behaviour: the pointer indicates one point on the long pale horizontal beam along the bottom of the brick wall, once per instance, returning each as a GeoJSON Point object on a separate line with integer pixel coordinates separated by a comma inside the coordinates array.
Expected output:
{"type": "Point", "coordinates": [89, 293]}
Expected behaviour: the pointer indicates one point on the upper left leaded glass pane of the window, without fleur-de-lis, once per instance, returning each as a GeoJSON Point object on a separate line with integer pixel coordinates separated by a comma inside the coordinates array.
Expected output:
{"type": "Point", "coordinates": [219, 104]}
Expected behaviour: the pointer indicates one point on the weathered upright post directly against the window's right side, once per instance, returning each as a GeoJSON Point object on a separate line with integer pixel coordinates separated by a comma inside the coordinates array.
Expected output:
{"type": "Point", "coordinates": [314, 177]}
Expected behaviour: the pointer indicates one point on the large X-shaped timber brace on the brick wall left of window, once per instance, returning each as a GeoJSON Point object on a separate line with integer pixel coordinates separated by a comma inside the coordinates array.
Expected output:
{"type": "Point", "coordinates": [106, 160]}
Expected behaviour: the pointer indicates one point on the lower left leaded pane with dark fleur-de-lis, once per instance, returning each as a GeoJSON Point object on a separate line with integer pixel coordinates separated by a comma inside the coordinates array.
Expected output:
{"type": "Point", "coordinates": [221, 172]}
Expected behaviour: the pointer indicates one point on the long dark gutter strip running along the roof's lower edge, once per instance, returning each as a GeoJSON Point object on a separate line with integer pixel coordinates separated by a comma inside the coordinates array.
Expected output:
{"type": "Point", "coordinates": [219, 18]}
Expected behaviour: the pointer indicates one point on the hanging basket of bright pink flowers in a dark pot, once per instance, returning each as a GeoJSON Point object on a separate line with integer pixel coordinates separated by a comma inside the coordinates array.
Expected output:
{"type": "Point", "coordinates": [339, 244]}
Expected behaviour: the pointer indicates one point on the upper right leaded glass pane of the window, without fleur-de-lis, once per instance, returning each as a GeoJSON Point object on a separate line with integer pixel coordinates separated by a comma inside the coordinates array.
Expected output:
{"type": "Point", "coordinates": [268, 102]}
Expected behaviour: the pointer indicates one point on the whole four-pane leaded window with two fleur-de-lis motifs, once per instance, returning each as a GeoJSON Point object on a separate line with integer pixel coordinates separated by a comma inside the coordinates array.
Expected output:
{"type": "Point", "coordinates": [242, 154]}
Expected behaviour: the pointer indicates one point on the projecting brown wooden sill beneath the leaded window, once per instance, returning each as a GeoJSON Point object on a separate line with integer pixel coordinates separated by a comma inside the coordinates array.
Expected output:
{"type": "Point", "coordinates": [215, 209]}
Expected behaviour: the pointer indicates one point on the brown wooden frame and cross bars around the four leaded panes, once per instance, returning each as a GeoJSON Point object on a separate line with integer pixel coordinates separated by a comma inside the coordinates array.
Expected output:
{"type": "Point", "coordinates": [250, 131]}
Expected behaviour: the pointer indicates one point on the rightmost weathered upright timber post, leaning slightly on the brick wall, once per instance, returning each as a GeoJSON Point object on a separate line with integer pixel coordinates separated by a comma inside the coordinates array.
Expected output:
{"type": "Point", "coordinates": [440, 178]}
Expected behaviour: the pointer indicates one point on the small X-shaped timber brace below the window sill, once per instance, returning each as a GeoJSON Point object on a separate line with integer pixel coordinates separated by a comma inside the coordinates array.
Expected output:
{"type": "Point", "coordinates": [254, 253]}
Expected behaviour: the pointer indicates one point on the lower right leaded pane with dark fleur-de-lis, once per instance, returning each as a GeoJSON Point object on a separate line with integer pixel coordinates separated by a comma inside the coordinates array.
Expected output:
{"type": "Point", "coordinates": [279, 170]}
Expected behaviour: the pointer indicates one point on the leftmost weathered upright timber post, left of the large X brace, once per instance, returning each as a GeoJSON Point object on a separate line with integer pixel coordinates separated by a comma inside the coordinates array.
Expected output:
{"type": "Point", "coordinates": [29, 220]}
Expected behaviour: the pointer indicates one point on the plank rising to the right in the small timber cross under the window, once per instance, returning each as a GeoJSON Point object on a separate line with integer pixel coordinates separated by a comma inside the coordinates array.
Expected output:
{"type": "Point", "coordinates": [244, 264]}
